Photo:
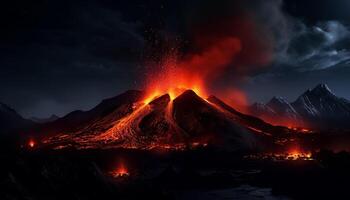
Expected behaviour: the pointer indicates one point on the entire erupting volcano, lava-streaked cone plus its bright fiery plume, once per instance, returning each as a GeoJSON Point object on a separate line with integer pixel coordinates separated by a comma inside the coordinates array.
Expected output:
{"type": "Point", "coordinates": [174, 111]}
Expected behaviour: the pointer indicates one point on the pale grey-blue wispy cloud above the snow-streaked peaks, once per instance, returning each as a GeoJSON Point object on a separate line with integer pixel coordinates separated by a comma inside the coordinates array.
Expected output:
{"type": "Point", "coordinates": [317, 47]}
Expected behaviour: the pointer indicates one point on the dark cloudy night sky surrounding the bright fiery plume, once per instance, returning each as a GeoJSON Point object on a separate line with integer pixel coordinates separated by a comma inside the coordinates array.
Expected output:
{"type": "Point", "coordinates": [59, 56]}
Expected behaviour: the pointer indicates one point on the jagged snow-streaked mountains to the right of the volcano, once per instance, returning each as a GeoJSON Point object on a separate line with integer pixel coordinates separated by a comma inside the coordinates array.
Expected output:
{"type": "Point", "coordinates": [316, 108]}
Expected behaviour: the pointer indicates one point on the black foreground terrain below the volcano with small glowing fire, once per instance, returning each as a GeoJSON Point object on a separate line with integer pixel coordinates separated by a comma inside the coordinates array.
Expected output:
{"type": "Point", "coordinates": [198, 174]}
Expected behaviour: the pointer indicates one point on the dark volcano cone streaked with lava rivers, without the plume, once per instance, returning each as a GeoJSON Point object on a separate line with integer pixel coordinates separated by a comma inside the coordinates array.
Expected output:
{"type": "Point", "coordinates": [162, 123]}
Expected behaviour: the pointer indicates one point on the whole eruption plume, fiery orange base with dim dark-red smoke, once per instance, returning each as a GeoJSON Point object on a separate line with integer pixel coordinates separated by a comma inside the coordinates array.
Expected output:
{"type": "Point", "coordinates": [229, 49]}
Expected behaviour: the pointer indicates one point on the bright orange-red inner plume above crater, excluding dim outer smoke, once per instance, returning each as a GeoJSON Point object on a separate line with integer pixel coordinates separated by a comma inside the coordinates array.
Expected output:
{"type": "Point", "coordinates": [194, 72]}
